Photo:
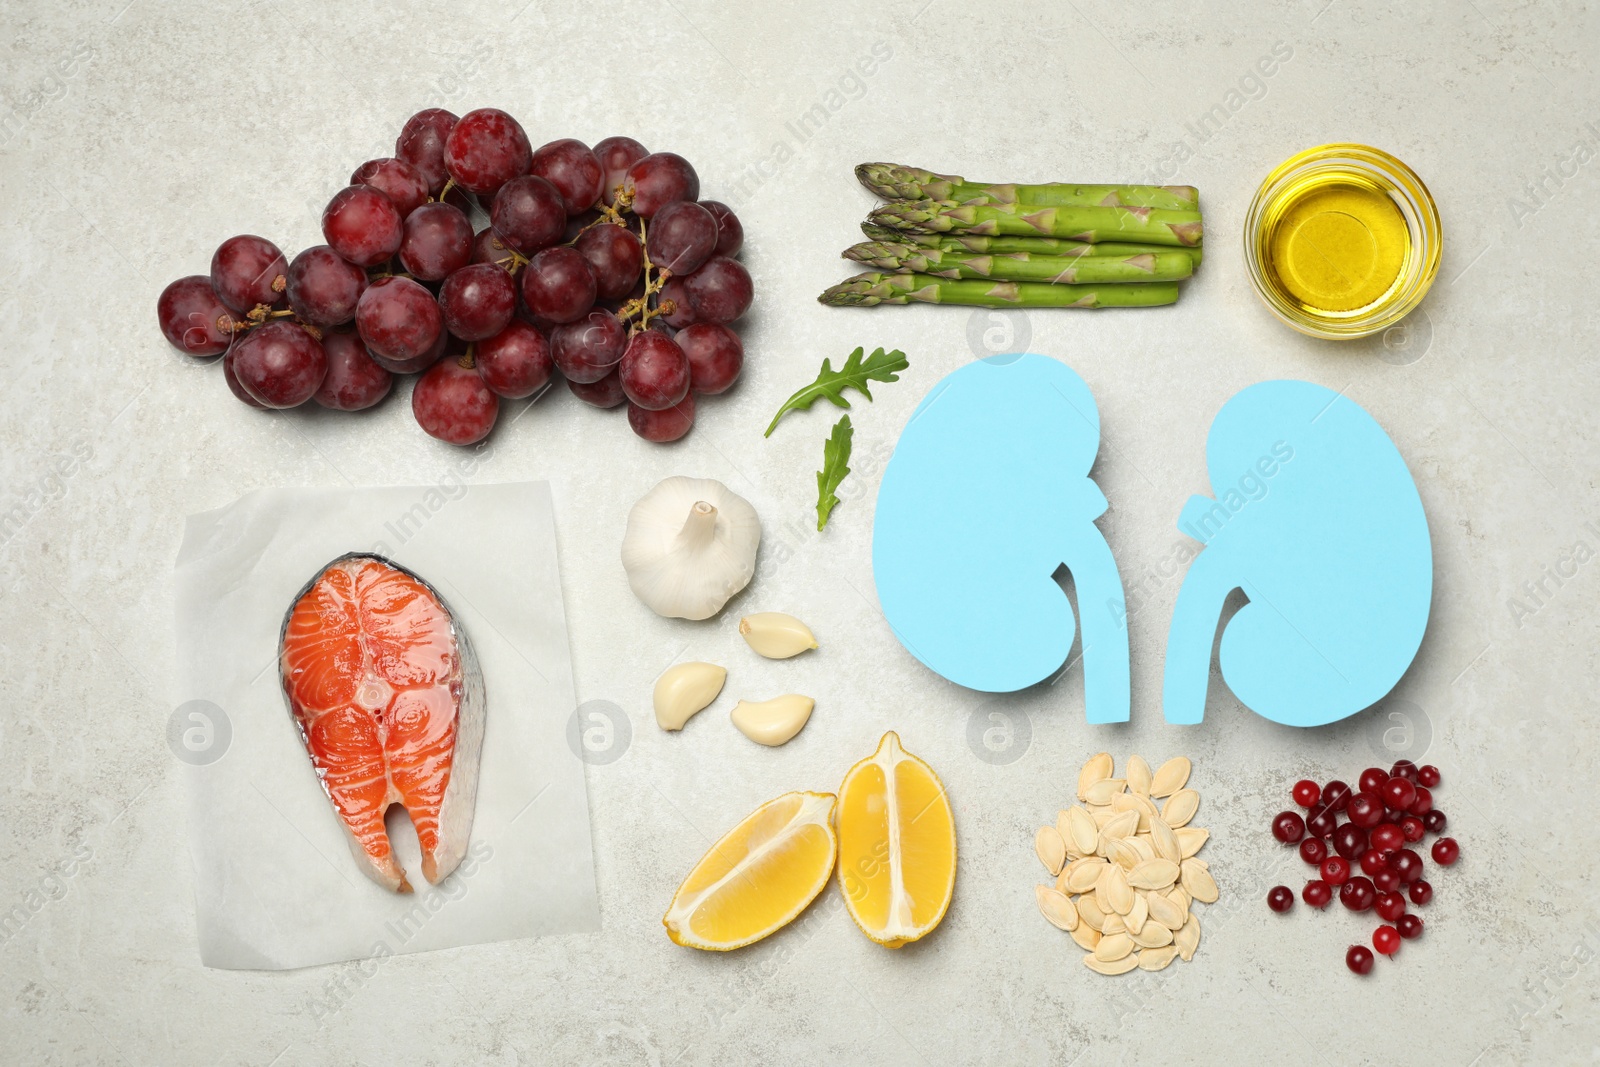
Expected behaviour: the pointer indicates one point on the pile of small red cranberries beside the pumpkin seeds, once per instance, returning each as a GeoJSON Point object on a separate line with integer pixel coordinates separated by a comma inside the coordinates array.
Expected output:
{"type": "Point", "coordinates": [1390, 812]}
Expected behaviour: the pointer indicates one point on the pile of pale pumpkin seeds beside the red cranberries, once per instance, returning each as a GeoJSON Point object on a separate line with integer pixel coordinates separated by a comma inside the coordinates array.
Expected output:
{"type": "Point", "coordinates": [1126, 869]}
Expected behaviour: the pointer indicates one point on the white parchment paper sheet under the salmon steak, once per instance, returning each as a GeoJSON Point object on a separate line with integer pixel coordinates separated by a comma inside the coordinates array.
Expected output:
{"type": "Point", "coordinates": [276, 885]}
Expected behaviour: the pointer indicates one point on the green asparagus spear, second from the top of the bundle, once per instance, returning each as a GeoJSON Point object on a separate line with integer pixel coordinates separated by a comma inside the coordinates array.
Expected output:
{"type": "Point", "coordinates": [1082, 225]}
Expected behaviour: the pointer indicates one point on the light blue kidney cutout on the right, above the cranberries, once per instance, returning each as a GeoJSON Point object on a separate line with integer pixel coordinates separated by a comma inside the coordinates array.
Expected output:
{"type": "Point", "coordinates": [1319, 524]}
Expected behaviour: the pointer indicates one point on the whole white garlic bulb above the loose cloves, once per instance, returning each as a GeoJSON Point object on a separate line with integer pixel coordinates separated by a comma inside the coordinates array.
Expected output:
{"type": "Point", "coordinates": [690, 546]}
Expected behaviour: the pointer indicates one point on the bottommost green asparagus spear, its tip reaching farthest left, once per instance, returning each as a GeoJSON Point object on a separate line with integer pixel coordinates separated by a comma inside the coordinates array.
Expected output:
{"type": "Point", "coordinates": [870, 290]}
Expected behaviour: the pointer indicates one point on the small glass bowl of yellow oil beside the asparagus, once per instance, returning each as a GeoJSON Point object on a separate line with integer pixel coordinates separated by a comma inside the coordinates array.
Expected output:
{"type": "Point", "coordinates": [1343, 241]}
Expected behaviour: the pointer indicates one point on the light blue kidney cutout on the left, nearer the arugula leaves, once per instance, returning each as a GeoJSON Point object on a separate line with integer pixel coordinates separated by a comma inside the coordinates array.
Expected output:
{"type": "Point", "coordinates": [985, 500]}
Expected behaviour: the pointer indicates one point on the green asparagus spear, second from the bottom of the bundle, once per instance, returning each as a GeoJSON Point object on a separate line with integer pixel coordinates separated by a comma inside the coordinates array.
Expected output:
{"type": "Point", "coordinates": [1153, 266]}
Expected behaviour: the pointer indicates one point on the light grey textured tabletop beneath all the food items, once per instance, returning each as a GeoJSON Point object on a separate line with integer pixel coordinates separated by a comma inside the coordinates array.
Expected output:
{"type": "Point", "coordinates": [135, 137]}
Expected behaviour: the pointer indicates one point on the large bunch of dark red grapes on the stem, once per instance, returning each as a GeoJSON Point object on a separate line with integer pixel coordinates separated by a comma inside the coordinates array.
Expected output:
{"type": "Point", "coordinates": [599, 263]}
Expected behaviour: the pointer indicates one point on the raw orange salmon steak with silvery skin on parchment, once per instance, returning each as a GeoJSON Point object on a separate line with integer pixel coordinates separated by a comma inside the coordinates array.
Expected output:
{"type": "Point", "coordinates": [390, 703]}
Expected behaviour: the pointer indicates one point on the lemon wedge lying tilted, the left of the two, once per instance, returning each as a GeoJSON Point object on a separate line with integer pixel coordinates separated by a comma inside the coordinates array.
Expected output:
{"type": "Point", "coordinates": [759, 877]}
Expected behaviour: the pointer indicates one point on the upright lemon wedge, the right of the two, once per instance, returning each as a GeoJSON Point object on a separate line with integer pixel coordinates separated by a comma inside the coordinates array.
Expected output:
{"type": "Point", "coordinates": [897, 845]}
